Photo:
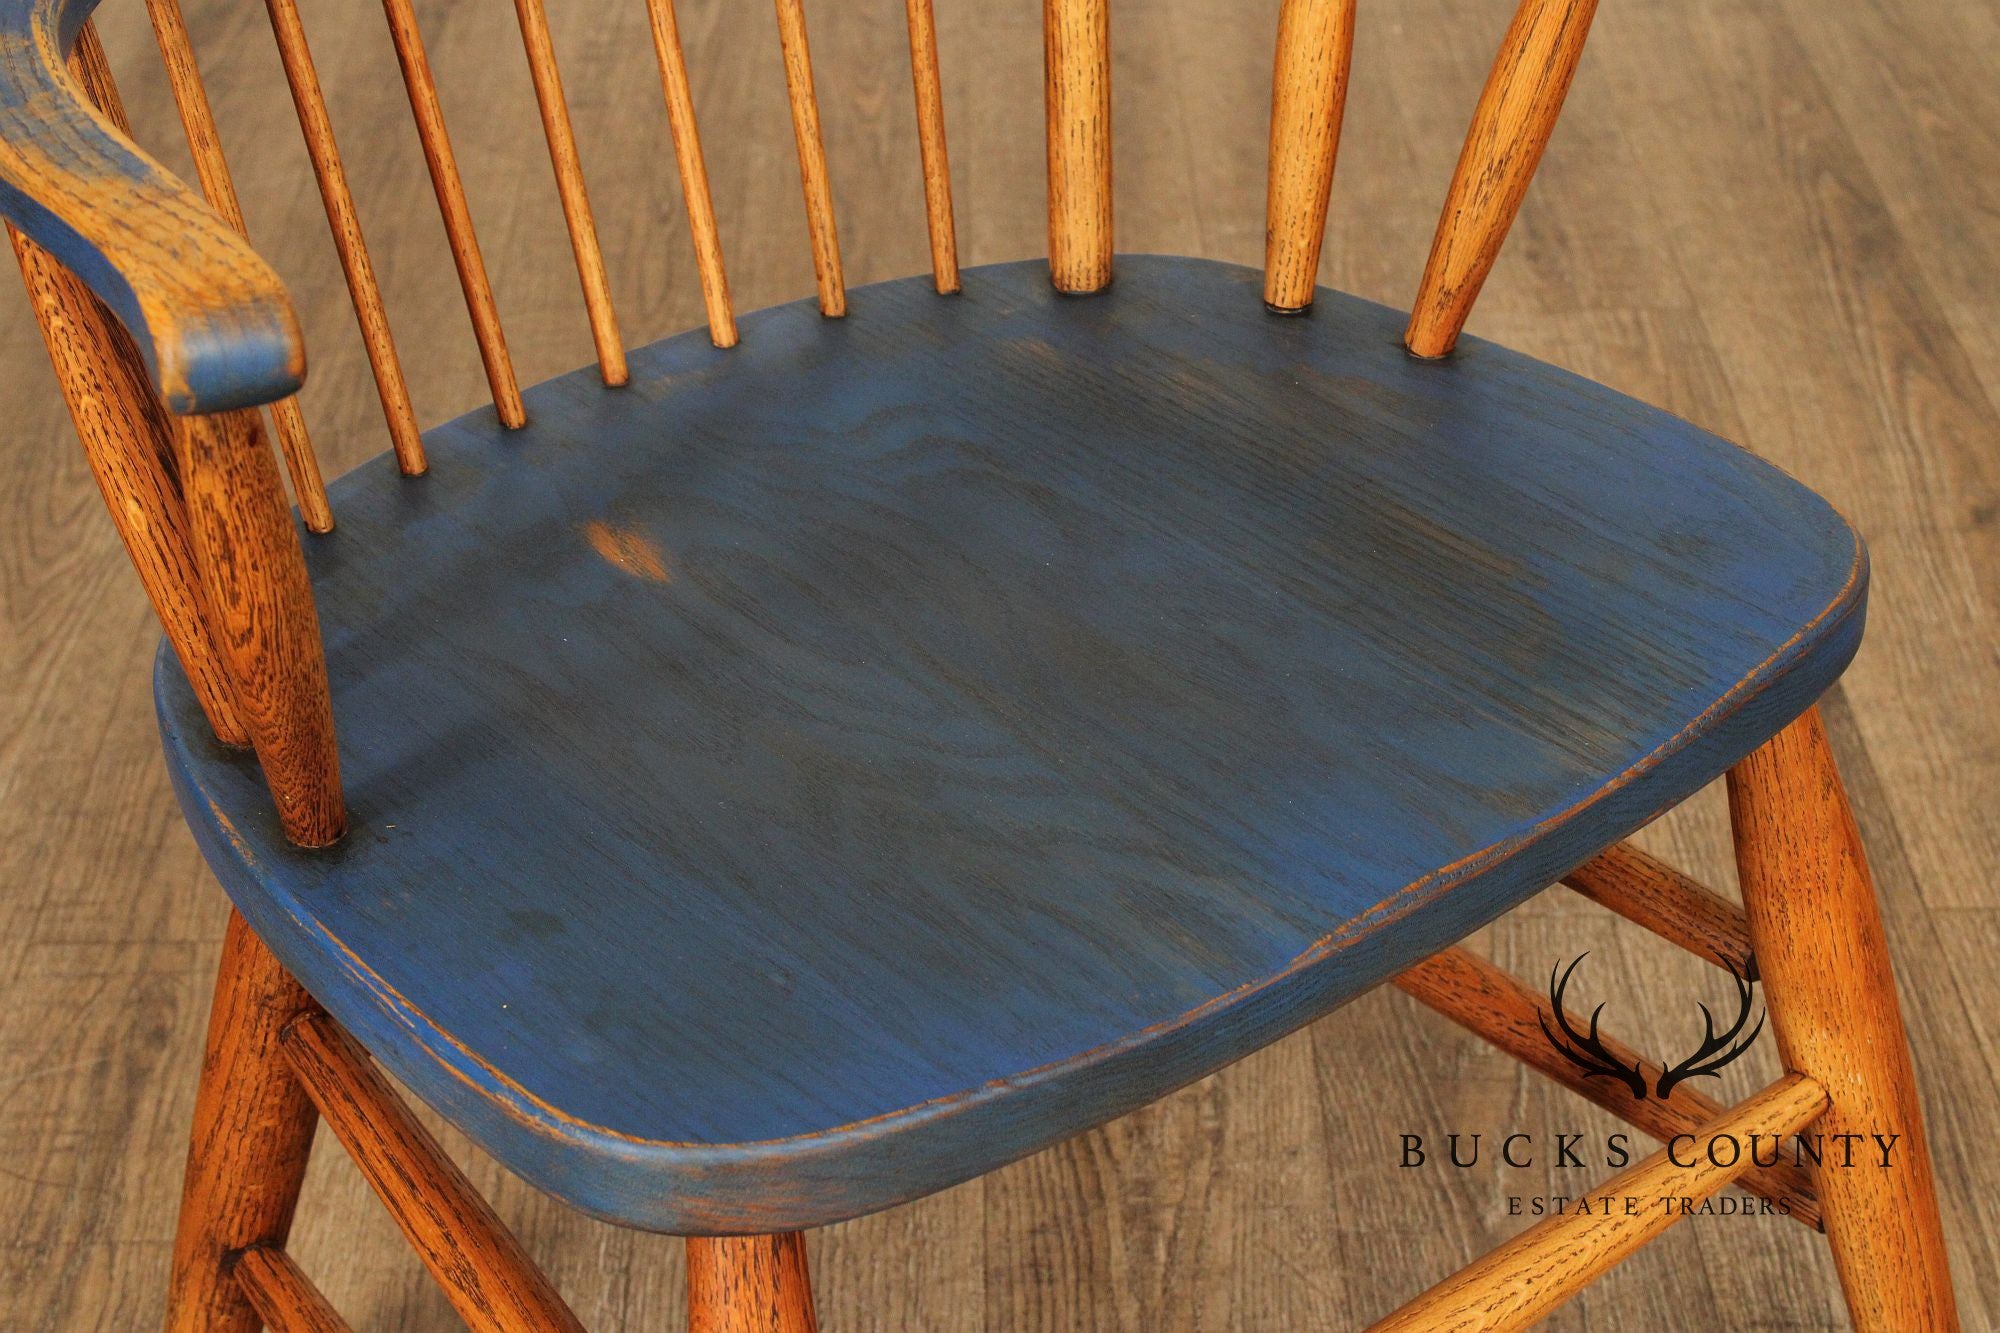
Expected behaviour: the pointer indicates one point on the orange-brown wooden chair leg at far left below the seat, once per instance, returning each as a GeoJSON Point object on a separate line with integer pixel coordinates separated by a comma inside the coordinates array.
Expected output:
{"type": "Point", "coordinates": [253, 1134]}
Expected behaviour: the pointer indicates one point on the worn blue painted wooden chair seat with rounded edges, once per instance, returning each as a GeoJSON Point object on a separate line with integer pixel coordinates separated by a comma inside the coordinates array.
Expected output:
{"type": "Point", "coordinates": [833, 768]}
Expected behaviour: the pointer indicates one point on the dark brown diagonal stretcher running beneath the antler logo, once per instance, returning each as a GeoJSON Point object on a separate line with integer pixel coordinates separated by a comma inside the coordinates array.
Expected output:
{"type": "Point", "coordinates": [1493, 1004]}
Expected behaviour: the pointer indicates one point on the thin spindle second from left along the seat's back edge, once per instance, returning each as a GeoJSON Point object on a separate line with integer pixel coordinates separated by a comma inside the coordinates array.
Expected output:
{"type": "Point", "coordinates": [347, 229]}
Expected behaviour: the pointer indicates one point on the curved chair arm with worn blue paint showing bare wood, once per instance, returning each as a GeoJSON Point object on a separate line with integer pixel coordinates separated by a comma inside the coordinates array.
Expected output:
{"type": "Point", "coordinates": [209, 315]}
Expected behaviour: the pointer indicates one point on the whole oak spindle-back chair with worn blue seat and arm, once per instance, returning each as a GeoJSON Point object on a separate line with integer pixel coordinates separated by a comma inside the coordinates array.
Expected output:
{"type": "Point", "coordinates": [783, 780]}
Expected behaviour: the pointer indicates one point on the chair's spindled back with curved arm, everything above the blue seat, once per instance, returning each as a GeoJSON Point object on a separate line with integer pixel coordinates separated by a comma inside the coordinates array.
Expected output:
{"type": "Point", "coordinates": [151, 297]}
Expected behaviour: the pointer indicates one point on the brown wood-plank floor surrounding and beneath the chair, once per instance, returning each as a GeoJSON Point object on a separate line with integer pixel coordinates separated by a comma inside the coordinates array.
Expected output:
{"type": "Point", "coordinates": [1773, 217]}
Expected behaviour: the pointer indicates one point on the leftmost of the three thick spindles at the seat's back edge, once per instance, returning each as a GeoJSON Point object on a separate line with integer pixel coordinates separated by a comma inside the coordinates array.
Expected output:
{"type": "Point", "coordinates": [1077, 73]}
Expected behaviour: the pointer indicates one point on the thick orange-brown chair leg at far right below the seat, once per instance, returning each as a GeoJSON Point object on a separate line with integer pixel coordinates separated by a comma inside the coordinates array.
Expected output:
{"type": "Point", "coordinates": [1833, 1002]}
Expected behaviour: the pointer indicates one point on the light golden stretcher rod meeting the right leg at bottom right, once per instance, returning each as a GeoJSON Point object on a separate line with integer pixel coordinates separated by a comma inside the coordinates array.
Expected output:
{"type": "Point", "coordinates": [1529, 1278]}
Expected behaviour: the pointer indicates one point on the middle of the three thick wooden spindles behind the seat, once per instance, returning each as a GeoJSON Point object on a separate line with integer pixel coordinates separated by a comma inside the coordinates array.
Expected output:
{"type": "Point", "coordinates": [1309, 91]}
